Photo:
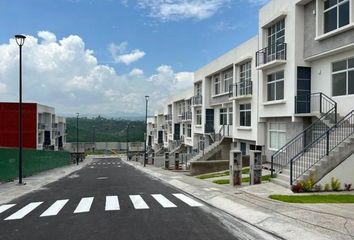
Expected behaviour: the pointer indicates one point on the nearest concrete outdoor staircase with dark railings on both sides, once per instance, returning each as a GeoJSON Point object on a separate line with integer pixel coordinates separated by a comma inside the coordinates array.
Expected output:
{"type": "Point", "coordinates": [328, 146]}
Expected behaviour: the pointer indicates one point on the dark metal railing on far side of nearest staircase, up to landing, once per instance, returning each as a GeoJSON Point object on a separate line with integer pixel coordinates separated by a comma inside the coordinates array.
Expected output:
{"type": "Point", "coordinates": [282, 158]}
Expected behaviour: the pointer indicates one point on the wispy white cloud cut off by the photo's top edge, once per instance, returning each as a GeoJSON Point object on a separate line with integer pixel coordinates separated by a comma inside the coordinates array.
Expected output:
{"type": "Point", "coordinates": [168, 10]}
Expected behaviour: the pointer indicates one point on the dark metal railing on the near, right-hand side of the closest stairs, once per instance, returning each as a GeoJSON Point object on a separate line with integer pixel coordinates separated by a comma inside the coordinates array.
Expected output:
{"type": "Point", "coordinates": [321, 147]}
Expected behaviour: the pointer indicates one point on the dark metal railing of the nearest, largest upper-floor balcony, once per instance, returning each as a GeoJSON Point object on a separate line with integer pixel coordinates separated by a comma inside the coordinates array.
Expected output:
{"type": "Point", "coordinates": [271, 53]}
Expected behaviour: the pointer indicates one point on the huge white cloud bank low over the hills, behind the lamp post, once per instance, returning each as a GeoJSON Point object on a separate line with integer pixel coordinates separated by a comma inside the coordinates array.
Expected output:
{"type": "Point", "coordinates": [66, 75]}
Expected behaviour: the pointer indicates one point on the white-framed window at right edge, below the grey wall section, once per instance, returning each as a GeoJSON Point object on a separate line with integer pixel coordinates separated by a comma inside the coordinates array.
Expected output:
{"type": "Point", "coordinates": [343, 77]}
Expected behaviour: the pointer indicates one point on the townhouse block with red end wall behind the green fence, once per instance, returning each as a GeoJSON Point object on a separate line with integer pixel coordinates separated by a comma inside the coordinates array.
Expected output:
{"type": "Point", "coordinates": [42, 128]}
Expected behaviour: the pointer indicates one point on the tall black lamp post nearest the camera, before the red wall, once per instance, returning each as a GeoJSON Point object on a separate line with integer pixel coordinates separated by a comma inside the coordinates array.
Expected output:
{"type": "Point", "coordinates": [20, 40]}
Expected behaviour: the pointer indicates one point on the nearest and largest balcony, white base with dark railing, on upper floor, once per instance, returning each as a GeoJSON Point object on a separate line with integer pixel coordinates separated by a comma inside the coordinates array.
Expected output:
{"type": "Point", "coordinates": [271, 56]}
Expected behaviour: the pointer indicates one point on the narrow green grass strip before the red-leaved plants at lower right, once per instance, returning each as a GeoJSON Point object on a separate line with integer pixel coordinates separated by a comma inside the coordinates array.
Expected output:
{"type": "Point", "coordinates": [330, 198]}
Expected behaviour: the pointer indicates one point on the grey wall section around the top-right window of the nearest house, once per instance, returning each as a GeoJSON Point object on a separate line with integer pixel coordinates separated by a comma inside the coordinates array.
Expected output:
{"type": "Point", "coordinates": [313, 47]}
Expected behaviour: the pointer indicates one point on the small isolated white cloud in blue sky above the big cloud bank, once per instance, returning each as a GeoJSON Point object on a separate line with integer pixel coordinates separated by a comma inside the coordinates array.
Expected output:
{"type": "Point", "coordinates": [120, 55]}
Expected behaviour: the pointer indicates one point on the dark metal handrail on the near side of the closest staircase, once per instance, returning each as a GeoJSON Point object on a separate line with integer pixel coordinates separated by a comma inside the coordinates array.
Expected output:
{"type": "Point", "coordinates": [326, 137]}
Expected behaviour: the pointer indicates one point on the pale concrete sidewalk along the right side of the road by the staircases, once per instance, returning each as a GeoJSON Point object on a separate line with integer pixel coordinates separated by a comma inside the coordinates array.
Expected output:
{"type": "Point", "coordinates": [252, 205]}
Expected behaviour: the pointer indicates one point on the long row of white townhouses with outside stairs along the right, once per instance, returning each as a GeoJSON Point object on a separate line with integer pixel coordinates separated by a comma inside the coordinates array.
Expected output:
{"type": "Point", "coordinates": [288, 91]}
